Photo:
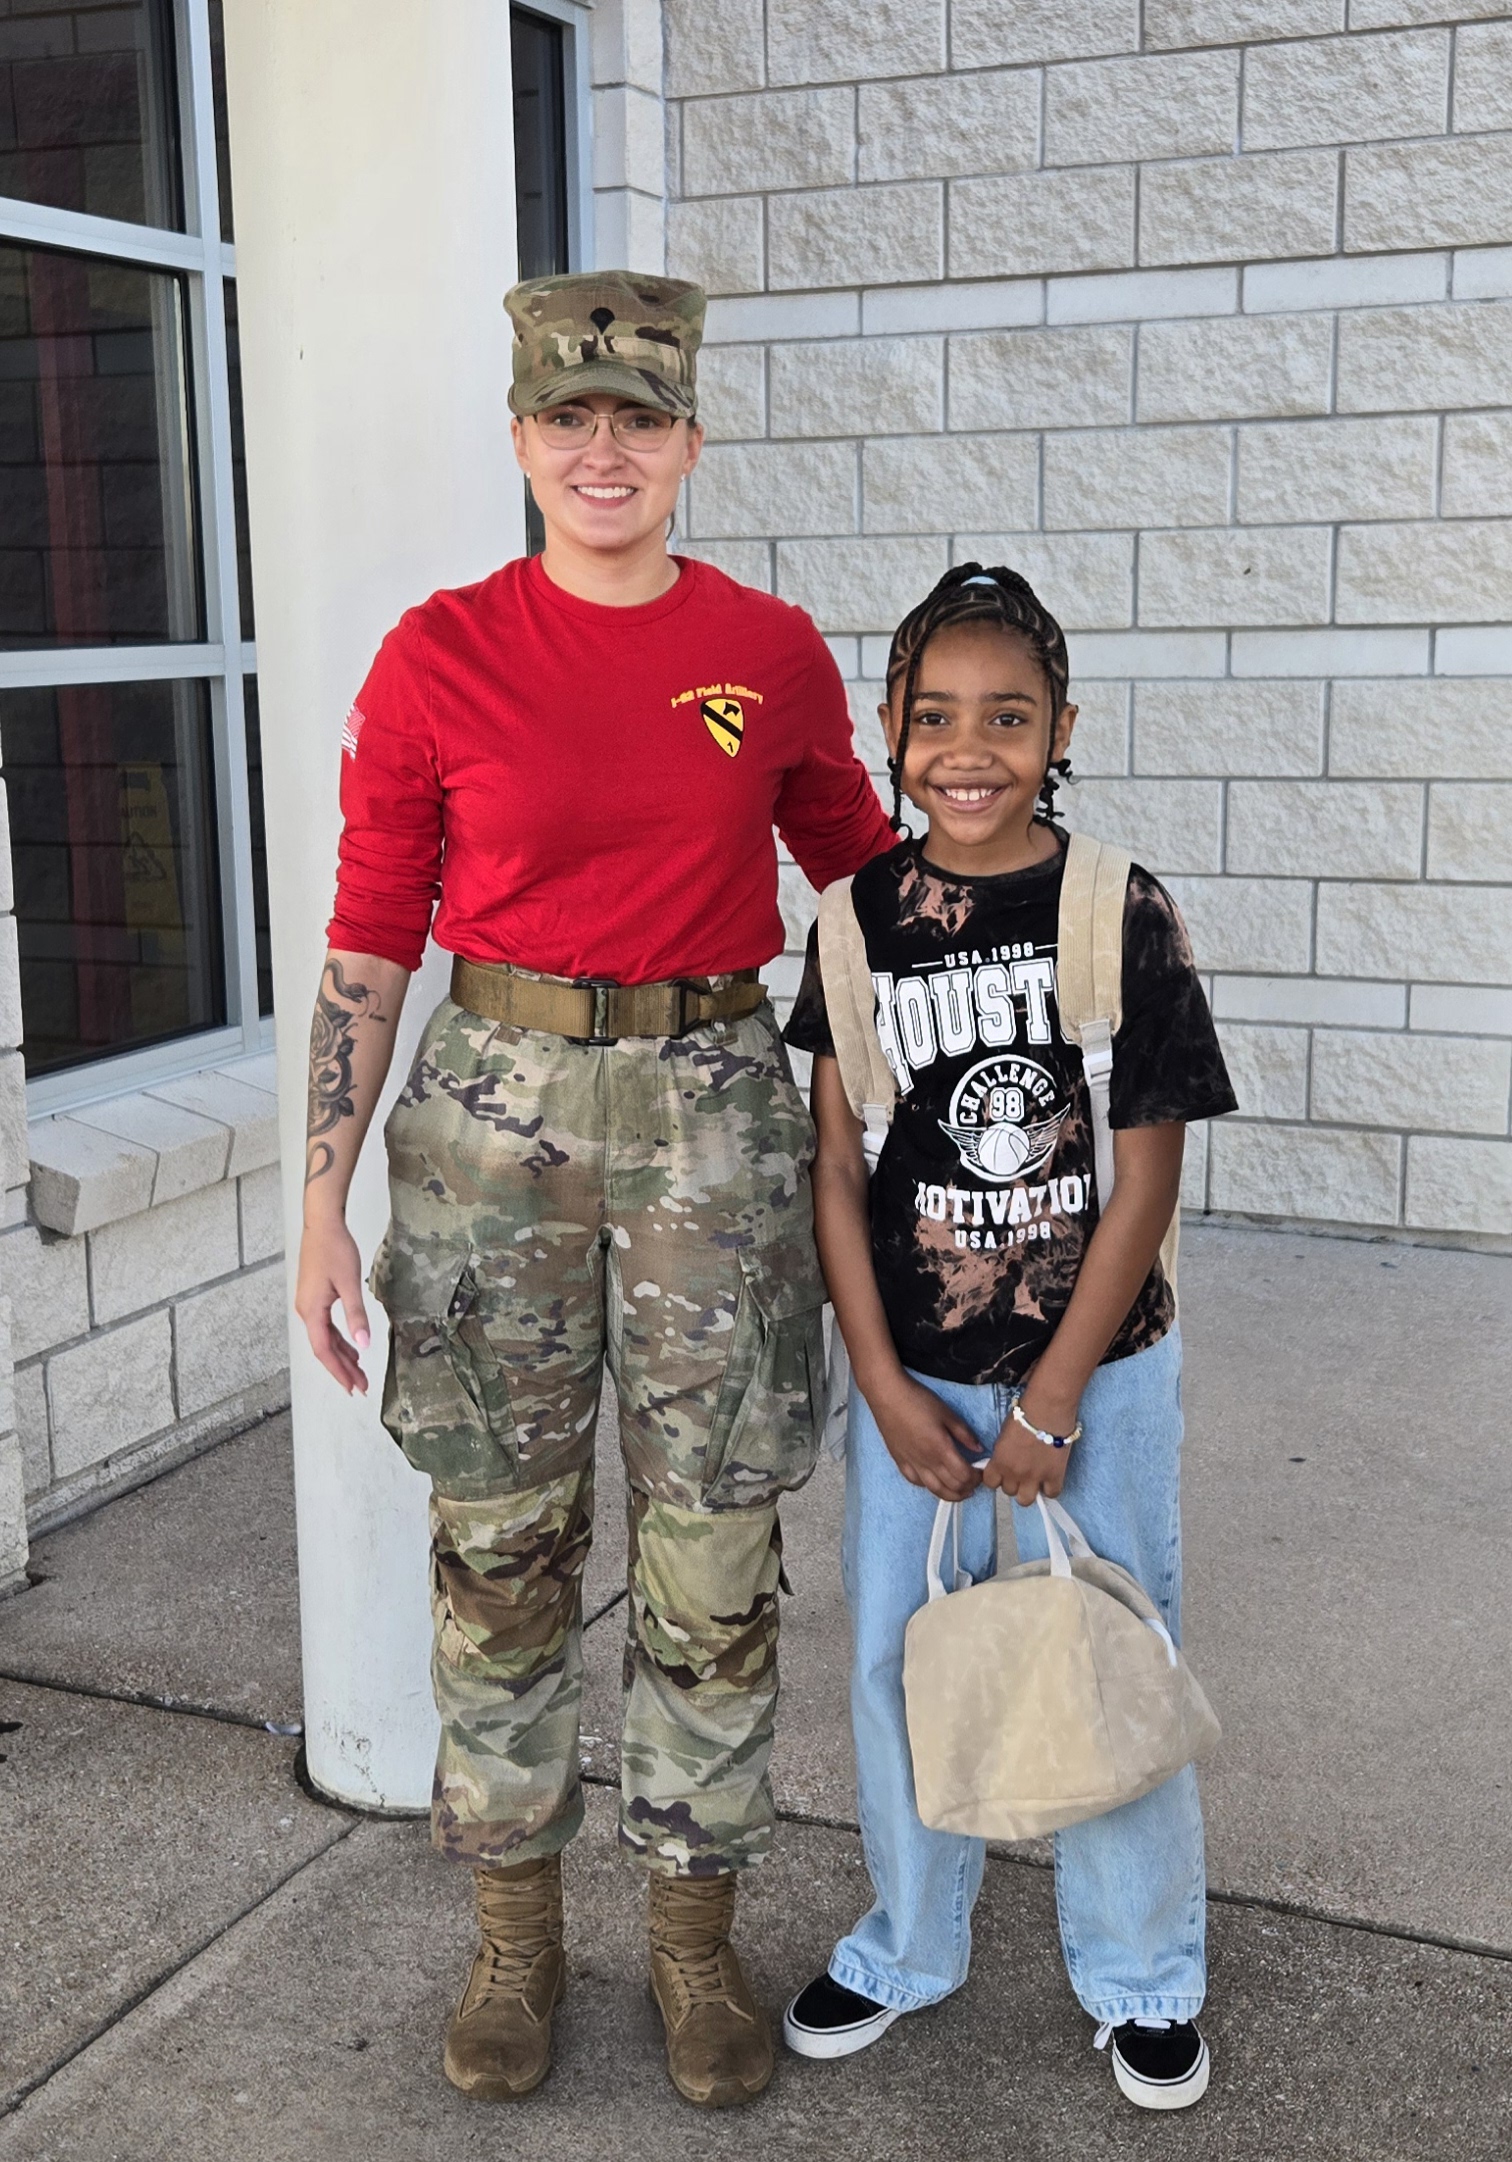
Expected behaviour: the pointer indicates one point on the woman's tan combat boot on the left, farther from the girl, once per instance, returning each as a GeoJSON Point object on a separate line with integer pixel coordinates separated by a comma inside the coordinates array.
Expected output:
{"type": "Point", "coordinates": [499, 2044]}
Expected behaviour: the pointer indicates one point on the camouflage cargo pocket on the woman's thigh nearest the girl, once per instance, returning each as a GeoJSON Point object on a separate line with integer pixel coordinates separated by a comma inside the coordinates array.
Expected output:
{"type": "Point", "coordinates": [771, 1406]}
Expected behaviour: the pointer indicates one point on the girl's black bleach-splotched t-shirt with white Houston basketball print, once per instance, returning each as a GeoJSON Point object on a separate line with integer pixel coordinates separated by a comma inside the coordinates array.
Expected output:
{"type": "Point", "coordinates": [985, 1195]}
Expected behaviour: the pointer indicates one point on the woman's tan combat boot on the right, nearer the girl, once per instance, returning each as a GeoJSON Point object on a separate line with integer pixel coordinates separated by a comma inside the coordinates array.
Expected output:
{"type": "Point", "coordinates": [719, 2046]}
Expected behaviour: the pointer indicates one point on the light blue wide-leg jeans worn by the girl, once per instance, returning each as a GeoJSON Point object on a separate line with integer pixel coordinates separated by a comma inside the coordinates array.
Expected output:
{"type": "Point", "coordinates": [1130, 1886]}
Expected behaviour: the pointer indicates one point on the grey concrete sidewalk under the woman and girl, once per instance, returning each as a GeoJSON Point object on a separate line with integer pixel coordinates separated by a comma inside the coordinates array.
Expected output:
{"type": "Point", "coordinates": [204, 1960]}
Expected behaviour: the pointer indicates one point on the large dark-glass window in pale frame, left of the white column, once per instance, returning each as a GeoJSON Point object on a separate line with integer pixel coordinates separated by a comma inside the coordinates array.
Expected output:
{"type": "Point", "coordinates": [142, 920]}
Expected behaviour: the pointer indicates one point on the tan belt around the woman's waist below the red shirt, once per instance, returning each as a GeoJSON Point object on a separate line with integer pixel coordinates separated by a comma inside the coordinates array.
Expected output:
{"type": "Point", "coordinates": [589, 1011]}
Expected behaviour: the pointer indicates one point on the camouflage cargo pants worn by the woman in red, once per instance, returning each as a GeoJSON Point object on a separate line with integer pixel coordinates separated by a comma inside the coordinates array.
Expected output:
{"type": "Point", "coordinates": [555, 1210]}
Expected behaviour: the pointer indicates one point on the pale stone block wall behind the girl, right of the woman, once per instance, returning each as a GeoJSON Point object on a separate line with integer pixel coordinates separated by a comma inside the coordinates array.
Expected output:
{"type": "Point", "coordinates": [1199, 315]}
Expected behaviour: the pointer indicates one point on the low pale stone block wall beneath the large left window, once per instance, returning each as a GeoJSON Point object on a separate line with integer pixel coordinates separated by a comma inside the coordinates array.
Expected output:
{"type": "Point", "coordinates": [144, 1277]}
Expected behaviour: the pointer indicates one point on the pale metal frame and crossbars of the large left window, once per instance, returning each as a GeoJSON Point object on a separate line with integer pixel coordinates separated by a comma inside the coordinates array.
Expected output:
{"type": "Point", "coordinates": [224, 660]}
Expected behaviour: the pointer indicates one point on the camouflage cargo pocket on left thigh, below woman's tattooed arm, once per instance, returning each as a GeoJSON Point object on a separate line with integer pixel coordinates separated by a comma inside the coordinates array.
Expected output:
{"type": "Point", "coordinates": [445, 1393]}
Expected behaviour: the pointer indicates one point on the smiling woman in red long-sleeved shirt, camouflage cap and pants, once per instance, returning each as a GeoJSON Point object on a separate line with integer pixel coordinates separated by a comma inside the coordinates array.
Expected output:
{"type": "Point", "coordinates": [598, 1156]}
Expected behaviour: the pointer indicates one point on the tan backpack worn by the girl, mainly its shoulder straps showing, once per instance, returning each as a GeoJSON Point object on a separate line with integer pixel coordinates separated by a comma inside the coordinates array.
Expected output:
{"type": "Point", "coordinates": [1089, 974]}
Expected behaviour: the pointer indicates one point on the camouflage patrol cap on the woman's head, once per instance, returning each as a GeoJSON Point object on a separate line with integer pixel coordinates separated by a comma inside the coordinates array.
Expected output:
{"type": "Point", "coordinates": [607, 332]}
